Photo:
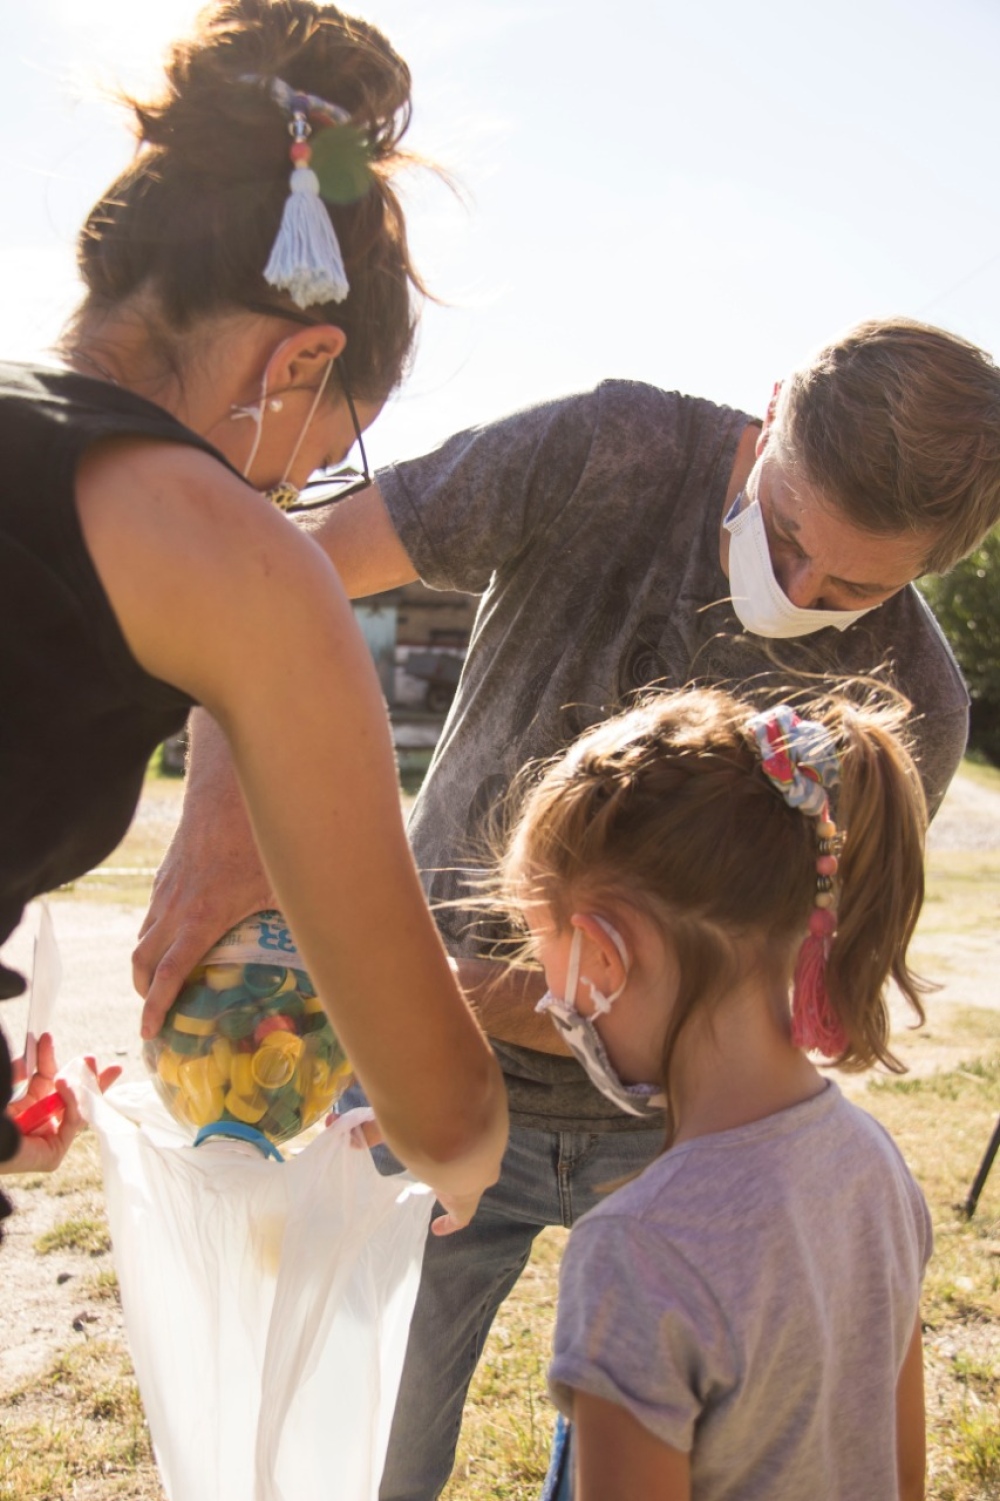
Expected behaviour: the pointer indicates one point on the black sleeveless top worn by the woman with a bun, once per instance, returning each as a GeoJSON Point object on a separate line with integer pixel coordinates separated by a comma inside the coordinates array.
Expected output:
{"type": "Point", "coordinates": [79, 717]}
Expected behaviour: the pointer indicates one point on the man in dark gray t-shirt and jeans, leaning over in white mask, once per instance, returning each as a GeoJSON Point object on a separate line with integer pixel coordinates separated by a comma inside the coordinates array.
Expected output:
{"type": "Point", "coordinates": [619, 540]}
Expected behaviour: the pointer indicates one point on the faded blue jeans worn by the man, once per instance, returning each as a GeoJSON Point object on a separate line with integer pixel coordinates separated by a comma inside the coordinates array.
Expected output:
{"type": "Point", "coordinates": [547, 1179]}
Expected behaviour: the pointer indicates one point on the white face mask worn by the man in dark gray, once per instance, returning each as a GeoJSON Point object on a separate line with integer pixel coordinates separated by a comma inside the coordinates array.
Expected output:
{"type": "Point", "coordinates": [759, 600]}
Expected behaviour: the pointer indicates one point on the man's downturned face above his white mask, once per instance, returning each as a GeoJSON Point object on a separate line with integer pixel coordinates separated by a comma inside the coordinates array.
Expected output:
{"type": "Point", "coordinates": [822, 561]}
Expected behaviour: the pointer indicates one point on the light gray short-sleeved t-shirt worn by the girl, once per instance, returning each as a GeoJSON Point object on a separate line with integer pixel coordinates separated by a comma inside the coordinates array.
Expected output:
{"type": "Point", "coordinates": [750, 1299]}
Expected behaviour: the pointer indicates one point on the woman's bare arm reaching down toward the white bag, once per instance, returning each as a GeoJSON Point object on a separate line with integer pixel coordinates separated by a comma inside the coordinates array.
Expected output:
{"type": "Point", "coordinates": [218, 595]}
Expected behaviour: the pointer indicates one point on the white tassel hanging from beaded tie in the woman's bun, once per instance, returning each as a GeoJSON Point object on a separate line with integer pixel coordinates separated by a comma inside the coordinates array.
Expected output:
{"type": "Point", "coordinates": [306, 259]}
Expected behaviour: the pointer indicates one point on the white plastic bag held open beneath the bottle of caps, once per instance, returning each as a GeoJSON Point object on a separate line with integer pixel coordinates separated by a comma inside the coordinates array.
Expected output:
{"type": "Point", "coordinates": [268, 1304]}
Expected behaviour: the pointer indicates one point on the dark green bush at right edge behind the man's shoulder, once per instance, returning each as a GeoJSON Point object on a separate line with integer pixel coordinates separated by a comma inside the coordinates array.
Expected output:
{"type": "Point", "coordinates": [968, 607]}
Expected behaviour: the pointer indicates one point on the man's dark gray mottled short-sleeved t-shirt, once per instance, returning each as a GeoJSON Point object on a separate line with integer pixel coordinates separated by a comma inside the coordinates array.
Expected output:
{"type": "Point", "coordinates": [591, 528]}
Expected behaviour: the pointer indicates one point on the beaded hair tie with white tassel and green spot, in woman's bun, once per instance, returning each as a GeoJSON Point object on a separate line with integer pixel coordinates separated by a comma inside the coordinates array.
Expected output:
{"type": "Point", "coordinates": [306, 259]}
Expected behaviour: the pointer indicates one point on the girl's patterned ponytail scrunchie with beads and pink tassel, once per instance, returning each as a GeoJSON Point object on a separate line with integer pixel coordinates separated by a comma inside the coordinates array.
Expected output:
{"type": "Point", "coordinates": [801, 762]}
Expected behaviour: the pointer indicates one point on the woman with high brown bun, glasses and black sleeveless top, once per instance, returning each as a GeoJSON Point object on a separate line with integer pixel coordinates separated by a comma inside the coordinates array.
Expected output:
{"type": "Point", "coordinates": [248, 310]}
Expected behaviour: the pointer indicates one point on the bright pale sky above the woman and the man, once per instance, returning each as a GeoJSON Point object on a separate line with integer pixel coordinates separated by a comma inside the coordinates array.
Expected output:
{"type": "Point", "coordinates": [693, 193]}
